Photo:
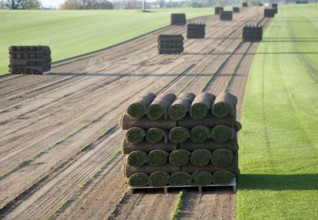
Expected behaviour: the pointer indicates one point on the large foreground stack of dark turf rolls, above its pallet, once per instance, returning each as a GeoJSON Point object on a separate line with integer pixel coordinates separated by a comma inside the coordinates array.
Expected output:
{"type": "Point", "coordinates": [180, 140]}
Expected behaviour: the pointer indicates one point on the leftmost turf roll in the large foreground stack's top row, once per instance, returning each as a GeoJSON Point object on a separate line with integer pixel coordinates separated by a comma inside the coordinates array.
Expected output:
{"type": "Point", "coordinates": [139, 106]}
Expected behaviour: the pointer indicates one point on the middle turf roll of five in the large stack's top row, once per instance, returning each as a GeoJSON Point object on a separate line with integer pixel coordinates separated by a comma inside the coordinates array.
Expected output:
{"type": "Point", "coordinates": [180, 106]}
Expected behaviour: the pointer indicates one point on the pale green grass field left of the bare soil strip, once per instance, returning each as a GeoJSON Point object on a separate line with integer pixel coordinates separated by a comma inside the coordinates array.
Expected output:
{"type": "Point", "coordinates": [71, 33]}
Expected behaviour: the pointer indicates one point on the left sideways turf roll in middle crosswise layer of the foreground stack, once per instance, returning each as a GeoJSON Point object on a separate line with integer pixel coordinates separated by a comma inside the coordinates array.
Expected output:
{"type": "Point", "coordinates": [146, 147]}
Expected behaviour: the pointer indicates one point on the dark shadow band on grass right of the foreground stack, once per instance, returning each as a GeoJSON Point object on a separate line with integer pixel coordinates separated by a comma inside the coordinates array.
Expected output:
{"type": "Point", "coordinates": [278, 182]}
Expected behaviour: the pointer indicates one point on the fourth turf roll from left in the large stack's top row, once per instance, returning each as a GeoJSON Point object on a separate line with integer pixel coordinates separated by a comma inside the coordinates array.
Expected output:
{"type": "Point", "coordinates": [201, 105]}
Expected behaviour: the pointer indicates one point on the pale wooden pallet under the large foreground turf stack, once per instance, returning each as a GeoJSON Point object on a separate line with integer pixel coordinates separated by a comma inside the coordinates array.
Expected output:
{"type": "Point", "coordinates": [166, 188]}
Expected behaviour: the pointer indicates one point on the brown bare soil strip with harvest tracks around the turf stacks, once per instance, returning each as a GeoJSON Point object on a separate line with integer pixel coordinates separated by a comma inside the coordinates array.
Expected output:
{"type": "Point", "coordinates": [59, 139]}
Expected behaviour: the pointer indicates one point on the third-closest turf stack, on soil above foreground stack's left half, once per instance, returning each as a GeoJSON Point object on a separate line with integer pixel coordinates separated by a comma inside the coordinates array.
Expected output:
{"type": "Point", "coordinates": [170, 44]}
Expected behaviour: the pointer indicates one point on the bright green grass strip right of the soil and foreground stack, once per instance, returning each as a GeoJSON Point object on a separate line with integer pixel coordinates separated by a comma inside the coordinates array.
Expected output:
{"type": "Point", "coordinates": [279, 142]}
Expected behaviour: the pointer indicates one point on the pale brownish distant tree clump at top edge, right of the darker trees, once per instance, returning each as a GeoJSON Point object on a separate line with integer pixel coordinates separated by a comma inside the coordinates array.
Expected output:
{"type": "Point", "coordinates": [87, 4]}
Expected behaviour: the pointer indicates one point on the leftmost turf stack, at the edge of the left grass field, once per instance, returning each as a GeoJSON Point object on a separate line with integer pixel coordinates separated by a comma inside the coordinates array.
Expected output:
{"type": "Point", "coordinates": [29, 59]}
